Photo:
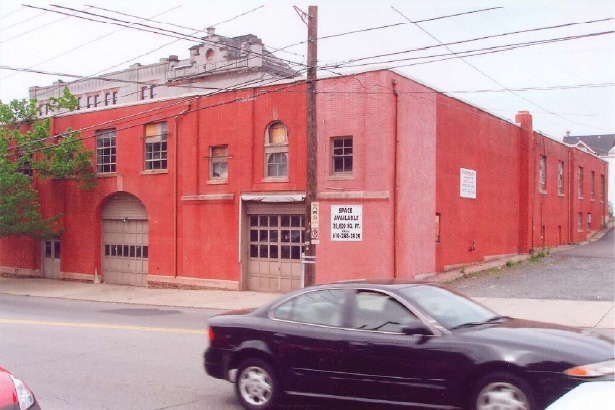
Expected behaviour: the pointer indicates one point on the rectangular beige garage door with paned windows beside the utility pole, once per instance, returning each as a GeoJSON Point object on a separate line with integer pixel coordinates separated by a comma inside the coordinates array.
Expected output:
{"type": "Point", "coordinates": [275, 247]}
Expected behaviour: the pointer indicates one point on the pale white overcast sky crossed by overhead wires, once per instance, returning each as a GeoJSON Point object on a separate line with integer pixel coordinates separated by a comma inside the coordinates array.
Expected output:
{"type": "Point", "coordinates": [567, 85]}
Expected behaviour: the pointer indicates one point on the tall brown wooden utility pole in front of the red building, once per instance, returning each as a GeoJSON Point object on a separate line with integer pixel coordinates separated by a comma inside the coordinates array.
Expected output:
{"type": "Point", "coordinates": [311, 212]}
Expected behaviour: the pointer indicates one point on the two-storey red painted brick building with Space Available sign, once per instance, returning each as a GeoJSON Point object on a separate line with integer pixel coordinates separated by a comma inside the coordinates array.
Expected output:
{"type": "Point", "coordinates": [209, 190]}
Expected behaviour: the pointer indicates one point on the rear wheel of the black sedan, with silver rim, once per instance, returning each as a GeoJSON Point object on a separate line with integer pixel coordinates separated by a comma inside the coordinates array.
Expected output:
{"type": "Point", "coordinates": [257, 385]}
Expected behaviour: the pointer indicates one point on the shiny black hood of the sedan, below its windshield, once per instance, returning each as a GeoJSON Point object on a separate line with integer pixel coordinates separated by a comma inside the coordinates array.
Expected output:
{"type": "Point", "coordinates": [561, 343]}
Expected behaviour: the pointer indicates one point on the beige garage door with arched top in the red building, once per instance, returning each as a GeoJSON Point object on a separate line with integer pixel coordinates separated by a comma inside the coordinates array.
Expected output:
{"type": "Point", "coordinates": [124, 241]}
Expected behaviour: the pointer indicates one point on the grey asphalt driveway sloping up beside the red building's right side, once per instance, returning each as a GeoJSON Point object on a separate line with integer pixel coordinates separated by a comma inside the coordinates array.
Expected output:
{"type": "Point", "coordinates": [582, 273]}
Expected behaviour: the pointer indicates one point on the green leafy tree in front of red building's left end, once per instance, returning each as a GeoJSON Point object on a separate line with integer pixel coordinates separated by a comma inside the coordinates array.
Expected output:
{"type": "Point", "coordinates": [27, 151]}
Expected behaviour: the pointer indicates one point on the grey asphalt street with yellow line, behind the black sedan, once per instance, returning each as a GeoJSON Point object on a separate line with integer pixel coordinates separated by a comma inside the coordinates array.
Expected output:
{"type": "Point", "coordinates": [100, 356]}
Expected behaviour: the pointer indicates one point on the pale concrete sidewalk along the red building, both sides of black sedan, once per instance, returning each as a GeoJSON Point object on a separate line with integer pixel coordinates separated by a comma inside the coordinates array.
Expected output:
{"type": "Point", "coordinates": [586, 314]}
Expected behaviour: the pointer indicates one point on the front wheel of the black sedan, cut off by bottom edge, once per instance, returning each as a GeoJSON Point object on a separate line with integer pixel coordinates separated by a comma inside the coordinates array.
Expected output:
{"type": "Point", "coordinates": [503, 390]}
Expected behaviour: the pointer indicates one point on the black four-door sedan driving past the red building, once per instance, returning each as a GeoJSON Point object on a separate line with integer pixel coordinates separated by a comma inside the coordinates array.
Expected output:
{"type": "Point", "coordinates": [398, 342]}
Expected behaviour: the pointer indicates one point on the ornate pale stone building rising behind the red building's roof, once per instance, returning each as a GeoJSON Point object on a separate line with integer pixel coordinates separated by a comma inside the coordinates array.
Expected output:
{"type": "Point", "coordinates": [218, 63]}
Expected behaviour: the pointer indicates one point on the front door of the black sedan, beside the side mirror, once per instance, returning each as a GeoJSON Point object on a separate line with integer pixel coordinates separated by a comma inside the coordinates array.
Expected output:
{"type": "Point", "coordinates": [383, 363]}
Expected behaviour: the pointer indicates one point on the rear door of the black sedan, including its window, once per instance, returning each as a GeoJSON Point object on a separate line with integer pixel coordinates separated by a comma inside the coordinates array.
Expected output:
{"type": "Point", "coordinates": [308, 341]}
